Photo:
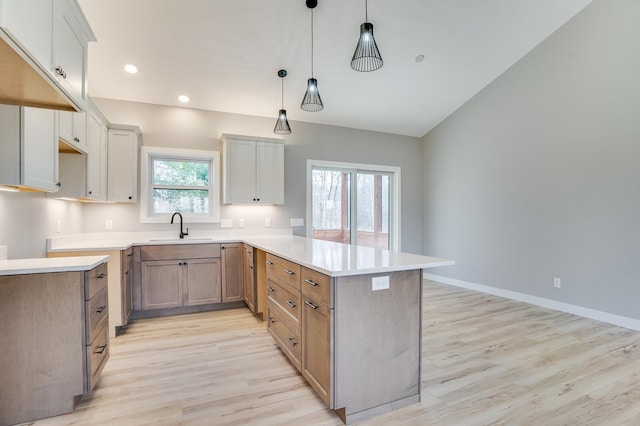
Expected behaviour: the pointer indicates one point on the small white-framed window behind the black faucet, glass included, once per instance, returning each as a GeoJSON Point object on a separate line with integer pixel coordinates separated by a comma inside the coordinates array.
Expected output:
{"type": "Point", "coordinates": [184, 181]}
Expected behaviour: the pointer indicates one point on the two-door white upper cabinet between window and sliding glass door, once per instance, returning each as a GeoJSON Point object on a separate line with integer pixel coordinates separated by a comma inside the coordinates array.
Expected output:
{"type": "Point", "coordinates": [253, 170]}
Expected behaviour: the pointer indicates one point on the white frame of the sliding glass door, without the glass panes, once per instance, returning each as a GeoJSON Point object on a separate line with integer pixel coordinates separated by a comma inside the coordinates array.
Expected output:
{"type": "Point", "coordinates": [394, 202]}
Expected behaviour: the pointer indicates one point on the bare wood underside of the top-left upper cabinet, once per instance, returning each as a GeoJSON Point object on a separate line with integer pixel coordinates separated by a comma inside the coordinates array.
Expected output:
{"type": "Point", "coordinates": [25, 83]}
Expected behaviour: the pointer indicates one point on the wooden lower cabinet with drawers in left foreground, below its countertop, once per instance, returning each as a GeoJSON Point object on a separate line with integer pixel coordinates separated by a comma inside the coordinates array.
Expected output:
{"type": "Point", "coordinates": [55, 341]}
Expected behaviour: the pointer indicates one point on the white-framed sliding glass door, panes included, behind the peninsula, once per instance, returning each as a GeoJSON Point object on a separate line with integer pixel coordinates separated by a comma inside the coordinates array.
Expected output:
{"type": "Point", "coordinates": [354, 204]}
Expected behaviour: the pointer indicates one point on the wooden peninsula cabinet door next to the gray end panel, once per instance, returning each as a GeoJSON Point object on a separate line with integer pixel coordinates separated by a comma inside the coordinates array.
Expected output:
{"type": "Point", "coordinates": [316, 351]}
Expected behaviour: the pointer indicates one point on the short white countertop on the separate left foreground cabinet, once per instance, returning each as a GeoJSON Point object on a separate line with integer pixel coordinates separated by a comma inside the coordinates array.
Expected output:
{"type": "Point", "coordinates": [53, 264]}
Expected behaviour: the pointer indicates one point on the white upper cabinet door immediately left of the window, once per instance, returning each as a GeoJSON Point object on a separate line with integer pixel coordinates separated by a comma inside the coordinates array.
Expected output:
{"type": "Point", "coordinates": [122, 164]}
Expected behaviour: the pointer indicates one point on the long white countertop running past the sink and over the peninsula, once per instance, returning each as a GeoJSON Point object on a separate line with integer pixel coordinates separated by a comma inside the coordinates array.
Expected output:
{"type": "Point", "coordinates": [334, 259]}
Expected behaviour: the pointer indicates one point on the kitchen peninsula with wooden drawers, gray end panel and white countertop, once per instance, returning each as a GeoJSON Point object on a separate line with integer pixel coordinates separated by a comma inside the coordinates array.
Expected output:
{"type": "Point", "coordinates": [347, 317]}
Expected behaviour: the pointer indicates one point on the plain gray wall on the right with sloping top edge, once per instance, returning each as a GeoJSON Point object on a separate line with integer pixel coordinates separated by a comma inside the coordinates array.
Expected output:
{"type": "Point", "coordinates": [538, 176]}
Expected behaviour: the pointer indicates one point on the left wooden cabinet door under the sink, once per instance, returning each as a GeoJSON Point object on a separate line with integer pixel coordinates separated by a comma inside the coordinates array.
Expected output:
{"type": "Point", "coordinates": [162, 284]}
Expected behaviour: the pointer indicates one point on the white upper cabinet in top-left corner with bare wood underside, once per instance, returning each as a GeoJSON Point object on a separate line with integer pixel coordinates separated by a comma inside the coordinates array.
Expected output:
{"type": "Point", "coordinates": [44, 47]}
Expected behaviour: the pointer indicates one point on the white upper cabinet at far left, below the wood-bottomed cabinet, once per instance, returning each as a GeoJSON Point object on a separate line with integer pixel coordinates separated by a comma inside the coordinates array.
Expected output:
{"type": "Point", "coordinates": [28, 148]}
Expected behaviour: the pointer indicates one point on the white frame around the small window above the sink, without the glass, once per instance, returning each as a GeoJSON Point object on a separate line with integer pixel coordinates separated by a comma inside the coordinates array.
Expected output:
{"type": "Point", "coordinates": [146, 183]}
